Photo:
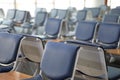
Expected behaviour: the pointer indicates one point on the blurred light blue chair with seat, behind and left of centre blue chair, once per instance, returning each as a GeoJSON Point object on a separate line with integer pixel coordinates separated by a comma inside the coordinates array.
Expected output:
{"type": "Point", "coordinates": [37, 27]}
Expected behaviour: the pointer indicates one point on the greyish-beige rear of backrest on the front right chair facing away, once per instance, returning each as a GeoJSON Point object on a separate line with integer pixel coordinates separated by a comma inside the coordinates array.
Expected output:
{"type": "Point", "coordinates": [91, 62]}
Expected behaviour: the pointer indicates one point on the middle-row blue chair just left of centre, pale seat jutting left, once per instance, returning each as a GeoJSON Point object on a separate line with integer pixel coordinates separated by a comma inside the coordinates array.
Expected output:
{"type": "Point", "coordinates": [52, 29]}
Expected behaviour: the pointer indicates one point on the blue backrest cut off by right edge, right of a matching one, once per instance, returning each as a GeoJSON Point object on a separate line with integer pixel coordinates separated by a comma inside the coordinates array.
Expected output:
{"type": "Point", "coordinates": [108, 33]}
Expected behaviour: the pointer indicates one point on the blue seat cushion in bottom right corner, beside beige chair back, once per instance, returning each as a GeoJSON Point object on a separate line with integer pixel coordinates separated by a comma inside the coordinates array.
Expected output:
{"type": "Point", "coordinates": [113, 73]}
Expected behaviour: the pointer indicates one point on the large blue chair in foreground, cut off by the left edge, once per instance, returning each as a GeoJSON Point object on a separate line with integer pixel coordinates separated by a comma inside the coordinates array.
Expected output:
{"type": "Point", "coordinates": [8, 50]}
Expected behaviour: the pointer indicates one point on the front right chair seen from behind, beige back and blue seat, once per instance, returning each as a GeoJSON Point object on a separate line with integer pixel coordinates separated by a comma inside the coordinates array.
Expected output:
{"type": "Point", "coordinates": [92, 64]}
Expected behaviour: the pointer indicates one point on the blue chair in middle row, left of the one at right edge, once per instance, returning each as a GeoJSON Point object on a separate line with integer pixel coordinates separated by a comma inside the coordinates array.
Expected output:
{"type": "Point", "coordinates": [85, 32]}
